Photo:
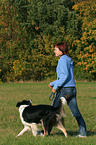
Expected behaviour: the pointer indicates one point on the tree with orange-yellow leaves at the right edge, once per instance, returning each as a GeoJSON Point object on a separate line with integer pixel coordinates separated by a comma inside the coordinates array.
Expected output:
{"type": "Point", "coordinates": [86, 45]}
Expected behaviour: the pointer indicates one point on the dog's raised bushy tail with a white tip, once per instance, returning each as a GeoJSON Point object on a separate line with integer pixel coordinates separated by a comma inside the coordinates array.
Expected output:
{"type": "Point", "coordinates": [60, 108]}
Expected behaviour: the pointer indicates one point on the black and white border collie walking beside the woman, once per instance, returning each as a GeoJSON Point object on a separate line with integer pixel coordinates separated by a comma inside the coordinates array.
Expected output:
{"type": "Point", "coordinates": [48, 116]}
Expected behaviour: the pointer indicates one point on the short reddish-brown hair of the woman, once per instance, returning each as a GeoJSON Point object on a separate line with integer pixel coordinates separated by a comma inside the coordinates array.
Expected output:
{"type": "Point", "coordinates": [62, 47]}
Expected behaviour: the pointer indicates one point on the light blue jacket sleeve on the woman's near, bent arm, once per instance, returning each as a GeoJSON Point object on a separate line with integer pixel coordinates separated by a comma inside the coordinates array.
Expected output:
{"type": "Point", "coordinates": [63, 66]}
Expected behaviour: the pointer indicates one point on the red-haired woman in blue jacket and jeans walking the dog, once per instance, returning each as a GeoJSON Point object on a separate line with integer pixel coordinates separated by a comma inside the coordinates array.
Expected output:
{"type": "Point", "coordinates": [64, 86]}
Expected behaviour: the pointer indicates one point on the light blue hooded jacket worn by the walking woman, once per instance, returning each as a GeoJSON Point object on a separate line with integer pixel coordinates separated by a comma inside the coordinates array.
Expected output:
{"type": "Point", "coordinates": [65, 74]}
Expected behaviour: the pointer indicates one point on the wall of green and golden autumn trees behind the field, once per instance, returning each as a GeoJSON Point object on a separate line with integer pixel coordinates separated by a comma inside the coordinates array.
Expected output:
{"type": "Point", "coordinates": [29, 30]}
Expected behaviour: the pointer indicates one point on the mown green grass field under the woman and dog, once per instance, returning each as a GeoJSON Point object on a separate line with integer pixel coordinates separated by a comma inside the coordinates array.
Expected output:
{"type": "Point", "coordinates": [10, 124]}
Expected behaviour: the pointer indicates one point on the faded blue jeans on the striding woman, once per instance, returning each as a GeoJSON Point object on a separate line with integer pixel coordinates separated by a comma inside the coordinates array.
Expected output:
{"type": "Point", "coordinates": [70, 95]}
